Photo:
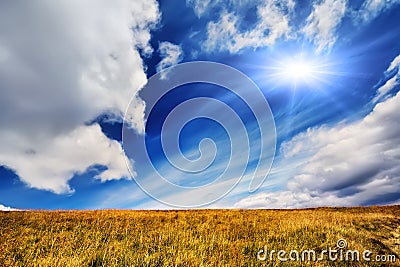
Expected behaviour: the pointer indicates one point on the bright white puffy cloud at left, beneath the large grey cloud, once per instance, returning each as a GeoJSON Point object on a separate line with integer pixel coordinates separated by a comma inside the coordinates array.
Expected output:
{"type": "Point", "coordinates": [49, 164]}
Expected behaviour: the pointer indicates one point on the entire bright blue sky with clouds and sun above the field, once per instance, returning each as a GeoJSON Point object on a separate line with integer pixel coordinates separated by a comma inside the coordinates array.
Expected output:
{"type": "Point", "coordinates": [312, 119]}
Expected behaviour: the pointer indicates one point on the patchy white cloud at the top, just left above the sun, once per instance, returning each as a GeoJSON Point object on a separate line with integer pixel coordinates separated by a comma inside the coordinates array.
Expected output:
{"type": "Point", "coordinates": [272, 23]}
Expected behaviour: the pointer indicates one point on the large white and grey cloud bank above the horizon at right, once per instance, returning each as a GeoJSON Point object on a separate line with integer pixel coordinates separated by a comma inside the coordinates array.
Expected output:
{"type": "Point", "coordinates": [348, 164]}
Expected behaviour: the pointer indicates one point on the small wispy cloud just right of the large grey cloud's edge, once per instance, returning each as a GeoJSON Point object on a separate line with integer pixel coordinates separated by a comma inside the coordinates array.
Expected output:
{"type": "Point", "coordinates": [170, 53]}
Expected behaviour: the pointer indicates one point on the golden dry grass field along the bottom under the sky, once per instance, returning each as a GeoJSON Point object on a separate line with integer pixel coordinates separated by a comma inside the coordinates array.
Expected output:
{"type": "Point", "coordinates": [194, 238]}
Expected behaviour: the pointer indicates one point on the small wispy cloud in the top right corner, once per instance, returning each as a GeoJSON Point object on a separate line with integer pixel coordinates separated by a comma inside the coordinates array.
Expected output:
{"type": "Point", "coordinates": [373, 8]}
